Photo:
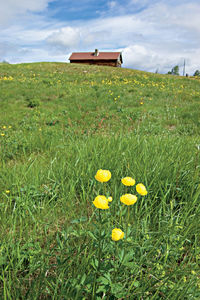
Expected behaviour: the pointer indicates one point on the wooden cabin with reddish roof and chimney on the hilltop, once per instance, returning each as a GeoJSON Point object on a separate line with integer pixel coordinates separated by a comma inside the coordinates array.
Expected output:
{"type": "Point", "coordinates": [113, 59]}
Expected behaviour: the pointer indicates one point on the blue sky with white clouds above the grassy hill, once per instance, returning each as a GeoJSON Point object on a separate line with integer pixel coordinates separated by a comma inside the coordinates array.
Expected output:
{"type": "Point", "coordinates": [153, 35]}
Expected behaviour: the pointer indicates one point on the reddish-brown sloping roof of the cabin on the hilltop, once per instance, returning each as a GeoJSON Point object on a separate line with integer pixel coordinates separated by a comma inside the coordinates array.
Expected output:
{"type": "Point", "coordinates": [91, 56]}
